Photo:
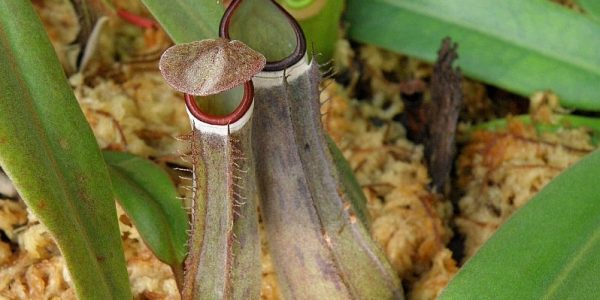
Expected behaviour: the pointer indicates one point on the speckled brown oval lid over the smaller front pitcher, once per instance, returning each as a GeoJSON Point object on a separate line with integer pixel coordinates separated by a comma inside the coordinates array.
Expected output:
{"type": "Point", "coordinates": [209, 66]}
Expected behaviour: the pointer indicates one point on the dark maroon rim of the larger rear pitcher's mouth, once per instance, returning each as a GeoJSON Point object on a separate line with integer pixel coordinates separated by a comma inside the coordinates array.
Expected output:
{"type": "Point", "coordinates": [275, 65]}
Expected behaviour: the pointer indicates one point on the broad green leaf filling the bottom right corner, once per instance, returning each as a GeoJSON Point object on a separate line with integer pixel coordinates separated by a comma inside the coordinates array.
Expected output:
{"type": "Point", "coordinates": [549, 249]}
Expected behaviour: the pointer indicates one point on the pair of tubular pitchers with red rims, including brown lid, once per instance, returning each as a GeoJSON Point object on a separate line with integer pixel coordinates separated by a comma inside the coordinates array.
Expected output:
{"type": "Point", "coordinates": [258, 145]}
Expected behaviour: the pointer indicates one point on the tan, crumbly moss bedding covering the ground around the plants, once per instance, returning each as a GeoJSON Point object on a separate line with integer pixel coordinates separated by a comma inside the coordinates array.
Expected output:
{"type": "Point", "coordinates": [426, 235]}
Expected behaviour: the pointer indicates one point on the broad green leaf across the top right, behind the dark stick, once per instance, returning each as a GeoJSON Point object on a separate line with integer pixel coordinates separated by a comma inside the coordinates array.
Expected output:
{"type": "Point", "coordinates": [522, 46]}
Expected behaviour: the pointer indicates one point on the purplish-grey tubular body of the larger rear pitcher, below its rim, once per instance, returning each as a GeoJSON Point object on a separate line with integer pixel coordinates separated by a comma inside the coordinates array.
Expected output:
{"type": "Point", "coordinates": [321, 250]}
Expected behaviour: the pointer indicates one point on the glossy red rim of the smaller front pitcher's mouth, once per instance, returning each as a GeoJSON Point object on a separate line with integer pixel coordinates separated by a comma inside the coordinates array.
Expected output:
{"type": "Point", "coordinates": [231, 118]}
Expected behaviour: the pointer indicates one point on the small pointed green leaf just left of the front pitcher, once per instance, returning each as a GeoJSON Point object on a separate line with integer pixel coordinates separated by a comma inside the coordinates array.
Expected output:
{"type": "Point", "coordinates": [149, 198]}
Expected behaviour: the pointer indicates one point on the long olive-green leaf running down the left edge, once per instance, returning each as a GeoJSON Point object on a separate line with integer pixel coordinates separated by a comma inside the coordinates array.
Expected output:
{"type": "Point", "coordinates": [47, 148]}
